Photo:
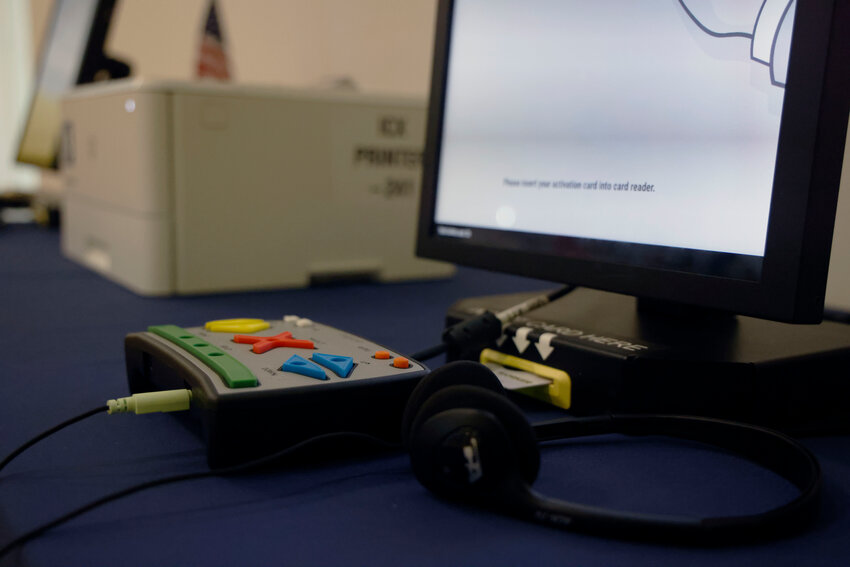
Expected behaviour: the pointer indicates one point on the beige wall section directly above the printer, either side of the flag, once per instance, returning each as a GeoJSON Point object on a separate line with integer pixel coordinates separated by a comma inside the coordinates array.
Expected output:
{"type": "Point", "coordinates": [384, 45]}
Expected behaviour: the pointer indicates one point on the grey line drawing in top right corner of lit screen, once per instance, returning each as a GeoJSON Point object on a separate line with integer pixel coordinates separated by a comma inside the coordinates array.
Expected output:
{"type": "Point", "coordinates": [765, 22]}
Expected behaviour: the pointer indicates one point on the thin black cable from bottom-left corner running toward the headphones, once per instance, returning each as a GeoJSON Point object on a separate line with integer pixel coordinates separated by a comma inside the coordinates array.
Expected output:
{"type": "Point", "coordinates": [225, 471]}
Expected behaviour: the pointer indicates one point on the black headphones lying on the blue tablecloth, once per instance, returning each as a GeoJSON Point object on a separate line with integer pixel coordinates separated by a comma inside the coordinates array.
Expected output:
{"type": "Point", "coordinates": [468, 442]}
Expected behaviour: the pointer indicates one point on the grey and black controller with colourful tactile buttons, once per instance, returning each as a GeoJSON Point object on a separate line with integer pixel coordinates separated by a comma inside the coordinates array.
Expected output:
{"type": "Point", "coordinates": [260, 386]}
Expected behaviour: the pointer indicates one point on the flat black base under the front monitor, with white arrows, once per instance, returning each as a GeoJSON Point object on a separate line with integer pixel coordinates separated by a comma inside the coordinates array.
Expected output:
{"type": "Point", "coordinates": [626, 356]}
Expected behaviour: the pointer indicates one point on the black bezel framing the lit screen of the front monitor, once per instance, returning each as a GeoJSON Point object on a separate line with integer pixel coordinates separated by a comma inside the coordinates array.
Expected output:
{"type": "Point", "coordinates": [799, 235]}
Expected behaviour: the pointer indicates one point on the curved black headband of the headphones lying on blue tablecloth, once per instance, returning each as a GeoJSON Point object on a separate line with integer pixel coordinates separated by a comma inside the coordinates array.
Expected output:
{"type": "Point", "coordinates": [765, 447]}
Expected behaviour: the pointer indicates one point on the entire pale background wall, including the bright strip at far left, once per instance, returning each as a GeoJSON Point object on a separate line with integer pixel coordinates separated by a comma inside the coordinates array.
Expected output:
{"type": "Point", "coordinates": [383, 45]}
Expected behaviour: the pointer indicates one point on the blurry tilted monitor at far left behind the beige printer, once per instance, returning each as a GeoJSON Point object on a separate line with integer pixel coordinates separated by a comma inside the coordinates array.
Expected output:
{"type": "Point", "coordinates": [71, 54]}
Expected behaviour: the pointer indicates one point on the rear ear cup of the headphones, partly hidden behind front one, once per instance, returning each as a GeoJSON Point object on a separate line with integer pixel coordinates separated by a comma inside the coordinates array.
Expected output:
{"type": "Point", "coordinates": [451, 374]}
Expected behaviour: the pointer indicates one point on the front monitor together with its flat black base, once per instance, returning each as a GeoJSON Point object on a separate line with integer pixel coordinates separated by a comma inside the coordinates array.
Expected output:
{"type": "Point", "coordinates": [683, 153]}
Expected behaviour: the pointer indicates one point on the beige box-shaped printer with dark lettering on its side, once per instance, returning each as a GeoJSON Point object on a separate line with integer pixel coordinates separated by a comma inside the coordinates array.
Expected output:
{"type": "Point", "coordinates": [183, 188]}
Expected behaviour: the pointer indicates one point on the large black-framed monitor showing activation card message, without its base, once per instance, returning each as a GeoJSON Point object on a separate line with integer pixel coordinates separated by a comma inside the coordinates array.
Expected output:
{"type": "Point", "coordinates": [679, 151]}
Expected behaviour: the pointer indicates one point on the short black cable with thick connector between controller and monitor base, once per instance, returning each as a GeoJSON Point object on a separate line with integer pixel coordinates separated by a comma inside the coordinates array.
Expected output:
{"type": "Point", "coordinates": [488, 325]}
